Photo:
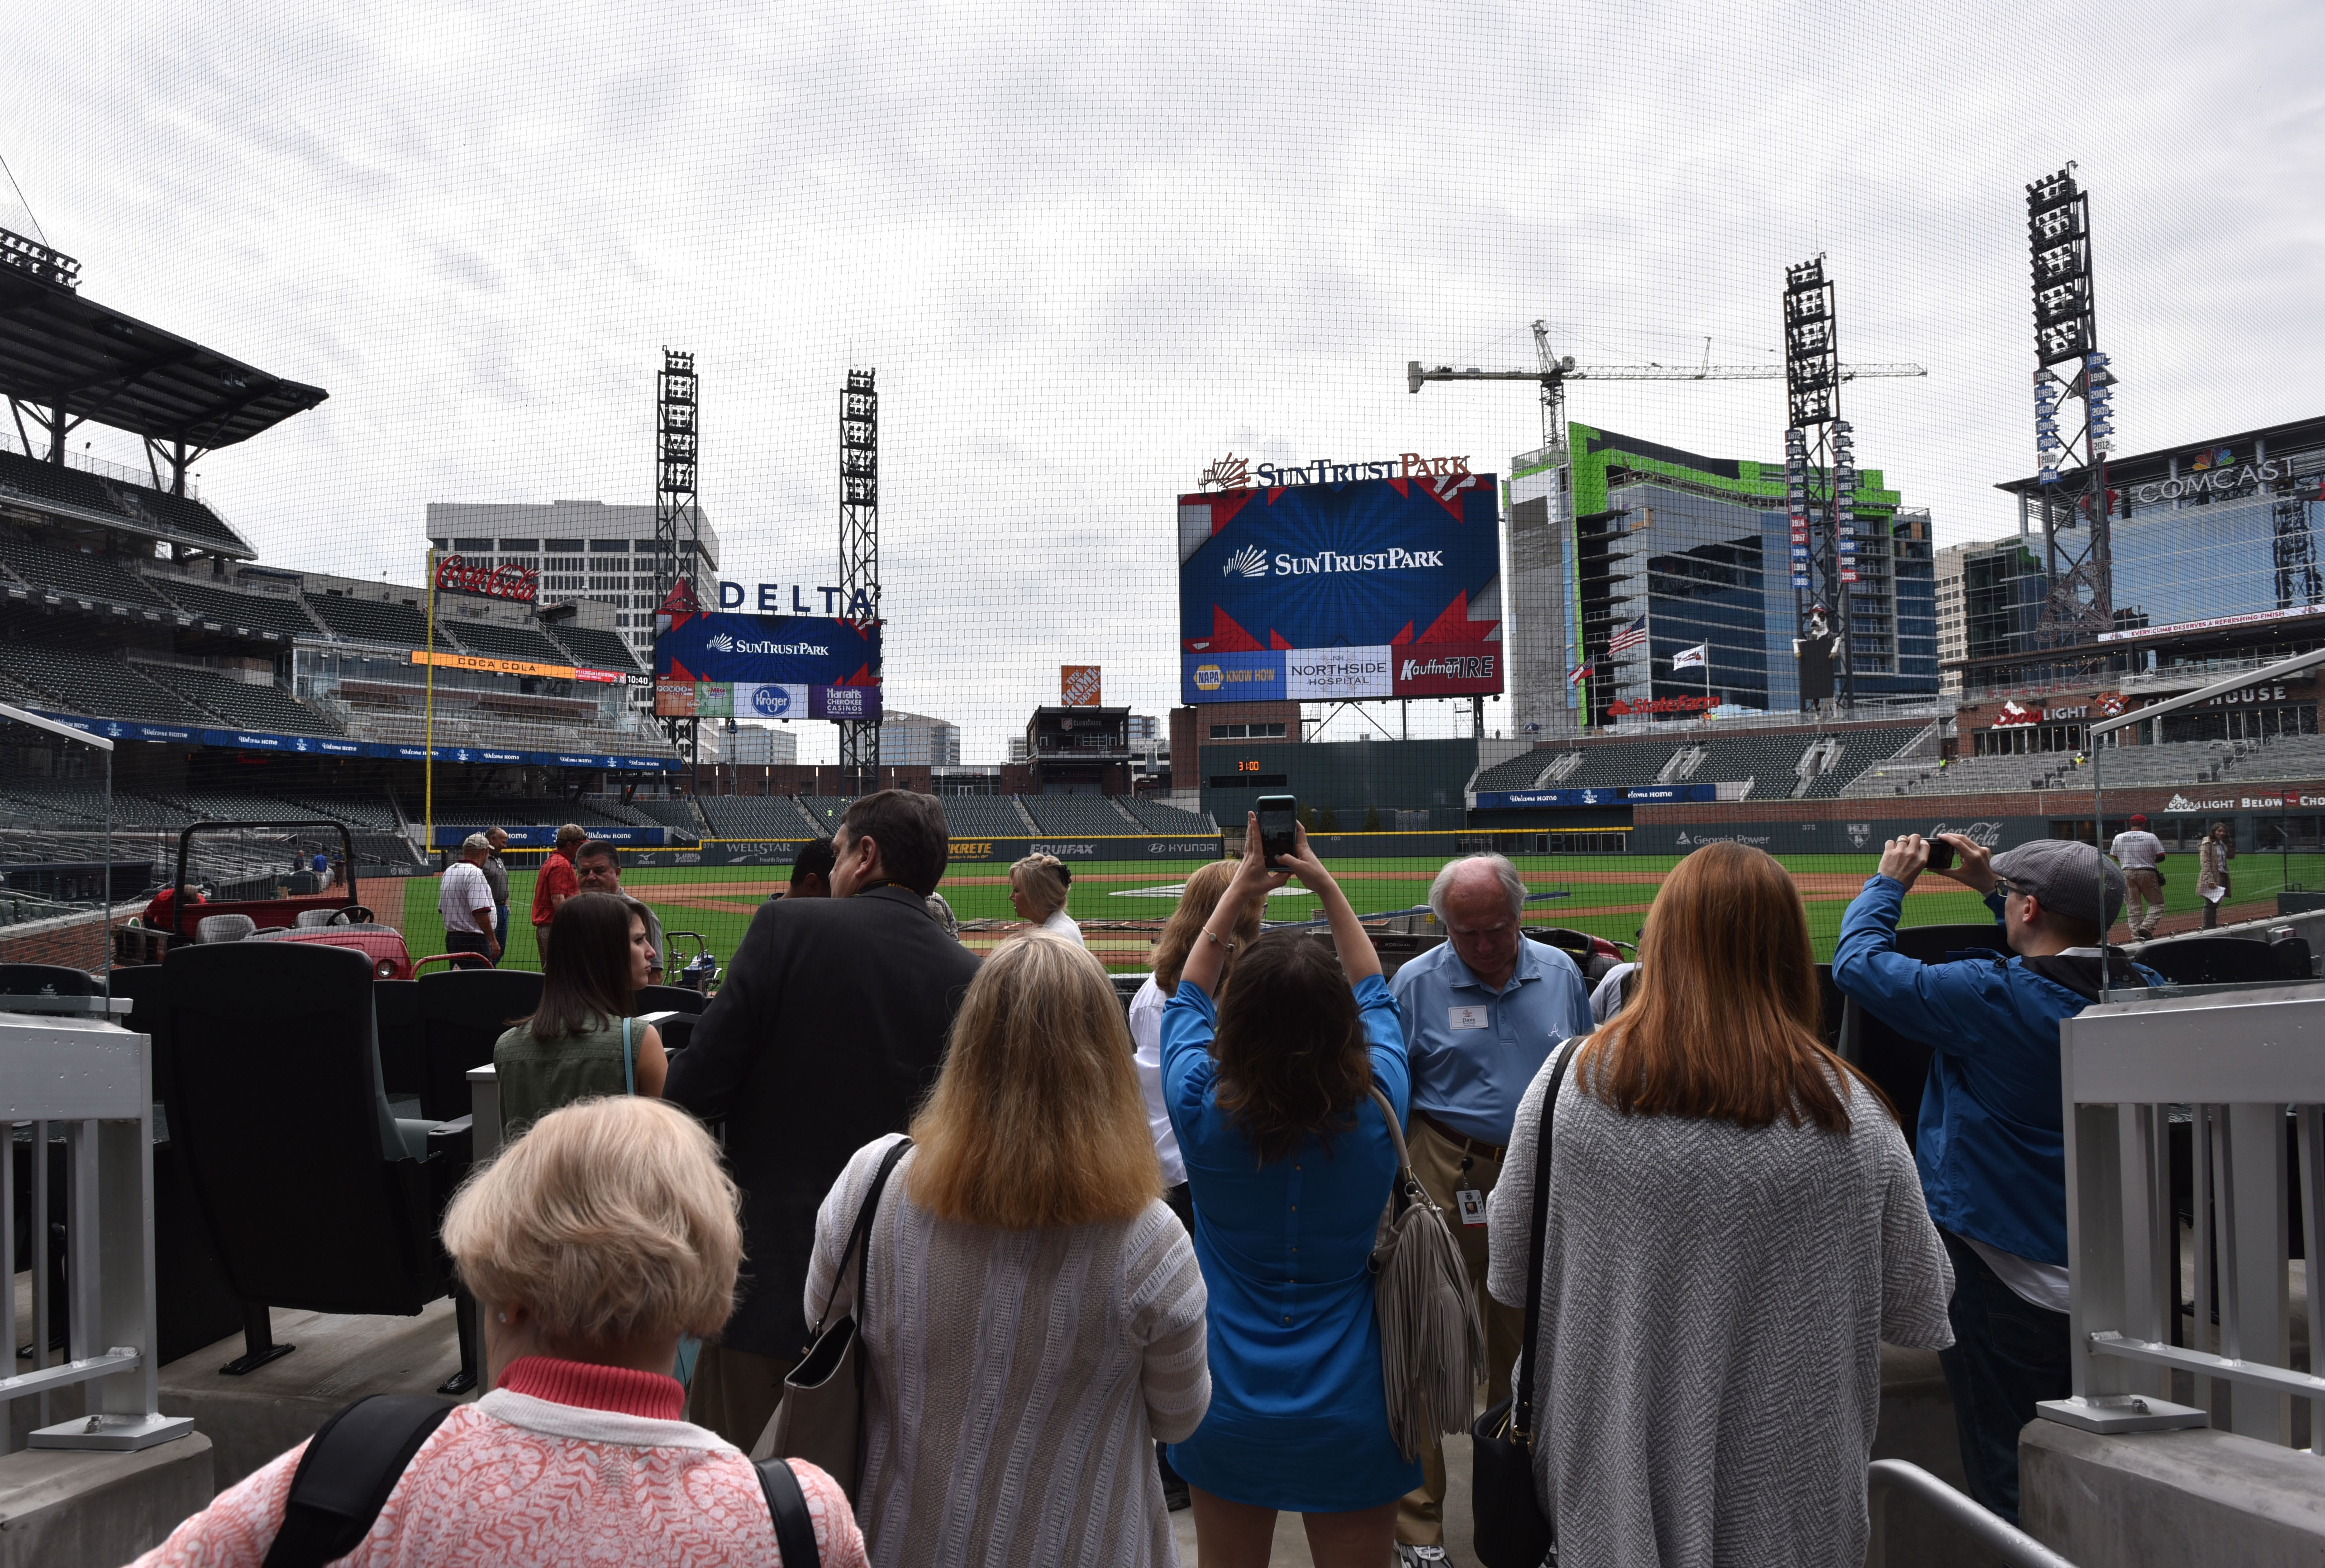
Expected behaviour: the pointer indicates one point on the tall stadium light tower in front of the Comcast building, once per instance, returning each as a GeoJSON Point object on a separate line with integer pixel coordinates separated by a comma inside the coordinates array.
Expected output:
{"type": "Point", "coordinates": [2077, 541]}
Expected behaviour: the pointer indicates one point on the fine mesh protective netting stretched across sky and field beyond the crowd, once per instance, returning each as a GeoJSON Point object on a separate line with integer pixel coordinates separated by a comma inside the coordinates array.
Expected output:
{"type": "Point", "coordinates": [1050, 411]}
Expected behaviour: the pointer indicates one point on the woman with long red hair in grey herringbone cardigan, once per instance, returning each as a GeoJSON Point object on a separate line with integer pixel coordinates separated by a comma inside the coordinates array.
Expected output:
{"type": "Point", "coordinates": [1733, 1230]}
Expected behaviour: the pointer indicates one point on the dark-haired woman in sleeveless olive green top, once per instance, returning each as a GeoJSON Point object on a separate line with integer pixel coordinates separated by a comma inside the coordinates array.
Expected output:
{"type": "Point", "coordinates": [582, 1041]}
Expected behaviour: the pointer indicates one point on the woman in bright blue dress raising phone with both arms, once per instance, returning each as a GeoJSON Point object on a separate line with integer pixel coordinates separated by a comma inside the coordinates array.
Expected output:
{"type": "Point", "coordinates": [1289, 1164]}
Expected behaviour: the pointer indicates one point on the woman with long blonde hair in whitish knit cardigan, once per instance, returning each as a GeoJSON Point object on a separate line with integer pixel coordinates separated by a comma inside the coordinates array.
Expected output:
{"type": "Point", "coordinates": [1036, 1311]}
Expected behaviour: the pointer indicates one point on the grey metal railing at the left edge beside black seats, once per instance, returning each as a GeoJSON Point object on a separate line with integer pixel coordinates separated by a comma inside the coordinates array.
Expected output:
{"type": "Point", "coordinates": [62, 1062]}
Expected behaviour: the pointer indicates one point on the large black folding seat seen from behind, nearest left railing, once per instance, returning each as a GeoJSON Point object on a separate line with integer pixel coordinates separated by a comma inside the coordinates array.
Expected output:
{"type": "Point", "coordinates": [310, 1190]}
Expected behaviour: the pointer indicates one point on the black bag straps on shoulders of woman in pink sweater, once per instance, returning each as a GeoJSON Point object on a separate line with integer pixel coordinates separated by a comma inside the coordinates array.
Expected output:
{"type": "Point", "coordinates": [359, 1455]}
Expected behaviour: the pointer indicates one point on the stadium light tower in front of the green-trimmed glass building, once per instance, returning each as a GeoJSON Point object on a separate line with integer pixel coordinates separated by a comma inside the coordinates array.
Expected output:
{"type": "Point", "coordinates": [1819, 466]}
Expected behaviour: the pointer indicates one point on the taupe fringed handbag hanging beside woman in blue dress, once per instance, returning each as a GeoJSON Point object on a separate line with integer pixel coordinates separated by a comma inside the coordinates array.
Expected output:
{"type": "Point", "coordinates": [1431, 1339]}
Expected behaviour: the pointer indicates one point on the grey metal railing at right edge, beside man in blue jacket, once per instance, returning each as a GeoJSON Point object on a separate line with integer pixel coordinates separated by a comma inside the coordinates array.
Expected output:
{"type": "Point", "coordinates": [2231, 1062]}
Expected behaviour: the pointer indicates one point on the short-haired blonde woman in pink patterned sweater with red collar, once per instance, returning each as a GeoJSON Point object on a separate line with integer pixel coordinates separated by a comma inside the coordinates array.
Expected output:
{"type": "Point", "coordinates": [592, 1246]}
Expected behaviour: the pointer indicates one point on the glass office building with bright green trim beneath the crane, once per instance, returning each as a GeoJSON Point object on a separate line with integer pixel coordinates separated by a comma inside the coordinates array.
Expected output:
{"type": "Point", "coordinates": [1612, 529]}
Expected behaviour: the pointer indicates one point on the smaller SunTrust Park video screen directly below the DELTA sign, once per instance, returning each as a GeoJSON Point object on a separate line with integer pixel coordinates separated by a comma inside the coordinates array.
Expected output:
{"type": "Point", "coordinates": [766, 667]}
